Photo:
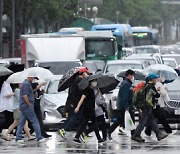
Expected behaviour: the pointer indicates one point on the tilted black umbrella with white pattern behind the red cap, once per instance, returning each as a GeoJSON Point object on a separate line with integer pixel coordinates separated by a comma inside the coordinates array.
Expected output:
{"type": "Point", "coordinates": [67, 79]}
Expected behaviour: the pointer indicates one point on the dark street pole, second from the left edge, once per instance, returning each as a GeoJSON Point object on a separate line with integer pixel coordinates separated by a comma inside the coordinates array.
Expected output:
{"type": "Point", "coordinates": [11, 54]}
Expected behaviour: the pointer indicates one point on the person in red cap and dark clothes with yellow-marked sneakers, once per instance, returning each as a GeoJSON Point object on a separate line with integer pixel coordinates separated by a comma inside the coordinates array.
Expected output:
{"type": "Point", "coordinates": [74, 95]}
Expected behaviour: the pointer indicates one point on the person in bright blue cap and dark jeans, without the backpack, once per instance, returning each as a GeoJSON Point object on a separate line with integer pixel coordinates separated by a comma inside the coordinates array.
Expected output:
{"type": "Point", "coordinates": [147, 116]}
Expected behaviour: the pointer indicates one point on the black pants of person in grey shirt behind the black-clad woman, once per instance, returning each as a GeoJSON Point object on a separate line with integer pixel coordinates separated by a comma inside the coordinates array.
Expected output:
{"type": "Point", "coordinates": [101, 124]}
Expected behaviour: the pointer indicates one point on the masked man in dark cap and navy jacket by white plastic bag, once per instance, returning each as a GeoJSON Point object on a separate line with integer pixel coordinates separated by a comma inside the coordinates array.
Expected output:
{"type": "Point", "coordinates": [124, 101]}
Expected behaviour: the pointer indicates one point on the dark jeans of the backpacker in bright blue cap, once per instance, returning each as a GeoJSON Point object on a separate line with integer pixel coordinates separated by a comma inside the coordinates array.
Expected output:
{"type": "Point", "coordinates": [149, 119]}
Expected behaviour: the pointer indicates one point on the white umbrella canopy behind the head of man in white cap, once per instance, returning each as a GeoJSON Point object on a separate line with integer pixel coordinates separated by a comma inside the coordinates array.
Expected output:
{"type": "Point", "coordinates": [19, 77]}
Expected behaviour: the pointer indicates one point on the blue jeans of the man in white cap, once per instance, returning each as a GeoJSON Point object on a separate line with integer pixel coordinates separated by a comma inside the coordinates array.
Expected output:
{"type": "Point", "coordinates": [27, 113]}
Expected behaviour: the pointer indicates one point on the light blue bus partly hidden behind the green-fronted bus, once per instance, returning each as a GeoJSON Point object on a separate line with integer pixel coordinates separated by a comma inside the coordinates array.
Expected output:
{"type": "Point", "coordinates": [122, 33]}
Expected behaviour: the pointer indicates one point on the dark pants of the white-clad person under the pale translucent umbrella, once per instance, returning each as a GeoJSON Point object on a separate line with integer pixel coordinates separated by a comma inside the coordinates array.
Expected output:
{"type": "Point", "coordinates": [160, 114]}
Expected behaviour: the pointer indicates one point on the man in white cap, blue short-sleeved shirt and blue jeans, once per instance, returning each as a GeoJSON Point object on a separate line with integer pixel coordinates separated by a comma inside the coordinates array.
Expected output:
{"type": "Point", "coordinates": [27, 109]}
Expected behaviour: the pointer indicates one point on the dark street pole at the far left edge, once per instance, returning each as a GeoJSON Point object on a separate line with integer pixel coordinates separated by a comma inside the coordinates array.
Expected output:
{"type": "Point", "coordinates": [1, 26]}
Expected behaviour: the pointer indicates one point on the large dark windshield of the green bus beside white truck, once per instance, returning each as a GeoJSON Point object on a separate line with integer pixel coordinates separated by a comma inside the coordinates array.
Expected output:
{"type": "Point", "coordinates": [99, 48]}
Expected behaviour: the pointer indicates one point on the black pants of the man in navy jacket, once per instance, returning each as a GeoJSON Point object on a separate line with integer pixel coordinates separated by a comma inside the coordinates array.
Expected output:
{"type": "Point", "coordinates": [120, 121]}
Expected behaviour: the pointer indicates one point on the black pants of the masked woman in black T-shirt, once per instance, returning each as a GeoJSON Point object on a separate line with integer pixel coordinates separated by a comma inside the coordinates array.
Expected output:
{"type": "Point", "coordinates": [84, 123]}
